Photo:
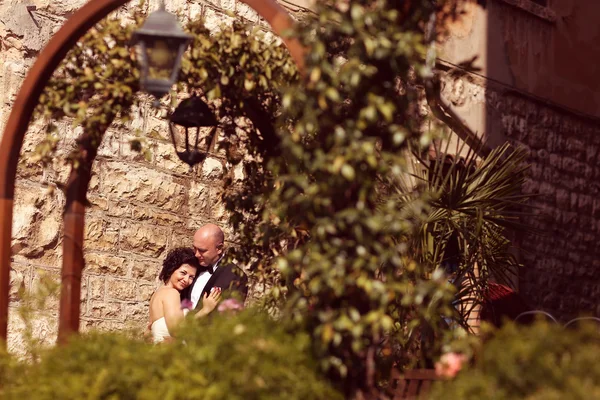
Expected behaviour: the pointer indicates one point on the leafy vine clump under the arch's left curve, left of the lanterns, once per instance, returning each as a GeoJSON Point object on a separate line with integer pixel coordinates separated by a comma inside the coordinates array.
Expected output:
{"type": "Point", "coordinates": [95, 84]}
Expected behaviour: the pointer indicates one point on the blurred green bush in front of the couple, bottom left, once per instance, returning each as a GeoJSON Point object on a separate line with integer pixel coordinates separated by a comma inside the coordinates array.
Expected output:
{"type": "Point", "coordinates": [248, 356]}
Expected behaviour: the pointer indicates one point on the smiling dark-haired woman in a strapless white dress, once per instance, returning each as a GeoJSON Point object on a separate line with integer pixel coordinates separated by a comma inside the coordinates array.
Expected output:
{"type": "Point", "coordinates": [178, 272]}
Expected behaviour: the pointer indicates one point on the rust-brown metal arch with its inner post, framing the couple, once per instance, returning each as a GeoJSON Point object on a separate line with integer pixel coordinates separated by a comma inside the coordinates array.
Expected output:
{"type": "Point", "coordinates": [12, 141]}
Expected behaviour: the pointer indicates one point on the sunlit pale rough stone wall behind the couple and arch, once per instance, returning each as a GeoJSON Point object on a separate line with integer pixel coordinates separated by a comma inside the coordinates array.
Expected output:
{"type": "Point", "coordinates": [140, 208]}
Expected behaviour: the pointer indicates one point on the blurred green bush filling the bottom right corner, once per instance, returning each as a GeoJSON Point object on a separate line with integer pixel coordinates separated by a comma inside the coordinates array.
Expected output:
{"type": "Point", "coordinates": [538, 362]}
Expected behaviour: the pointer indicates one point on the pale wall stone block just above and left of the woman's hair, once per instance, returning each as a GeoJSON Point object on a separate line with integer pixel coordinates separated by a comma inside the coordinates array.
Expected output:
{"type": "Point", "coordinates": [144, 239]}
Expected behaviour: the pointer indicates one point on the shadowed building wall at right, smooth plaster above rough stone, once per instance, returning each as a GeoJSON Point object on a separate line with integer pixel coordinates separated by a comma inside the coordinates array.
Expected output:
{"type": "Point", "coordinates": [528, 91]}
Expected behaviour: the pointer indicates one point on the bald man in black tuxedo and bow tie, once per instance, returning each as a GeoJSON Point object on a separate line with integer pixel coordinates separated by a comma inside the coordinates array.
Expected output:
{"type": "Point", "coordinates": [209, 247]}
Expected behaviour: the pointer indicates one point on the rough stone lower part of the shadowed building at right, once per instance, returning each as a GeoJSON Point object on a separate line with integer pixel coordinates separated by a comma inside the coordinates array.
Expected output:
{"type": "Point", "coordinates": [562, 263]}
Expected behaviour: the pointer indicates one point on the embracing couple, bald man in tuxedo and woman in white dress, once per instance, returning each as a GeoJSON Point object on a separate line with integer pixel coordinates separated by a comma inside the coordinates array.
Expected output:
{"type": "Point", "coordinates": [193, 279]}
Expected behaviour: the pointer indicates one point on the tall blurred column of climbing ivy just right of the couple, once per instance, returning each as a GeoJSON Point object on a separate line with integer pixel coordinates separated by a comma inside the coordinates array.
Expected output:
{"type": "Point", "coordinates": [332, 244]}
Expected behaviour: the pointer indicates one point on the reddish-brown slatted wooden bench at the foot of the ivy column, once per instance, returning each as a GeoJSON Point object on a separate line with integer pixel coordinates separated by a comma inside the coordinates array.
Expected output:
{"type": "Point", "coordinates": [413, 384]}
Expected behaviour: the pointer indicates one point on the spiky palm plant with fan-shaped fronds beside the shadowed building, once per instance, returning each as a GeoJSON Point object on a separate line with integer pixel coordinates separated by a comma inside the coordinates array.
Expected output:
{"type": "Point", "coordinates": [473, 206]}
